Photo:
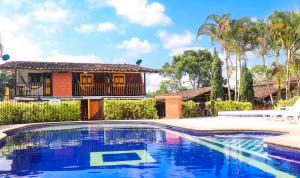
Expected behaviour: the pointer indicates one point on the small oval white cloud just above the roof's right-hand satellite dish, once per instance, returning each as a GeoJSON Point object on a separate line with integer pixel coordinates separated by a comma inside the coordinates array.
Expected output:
{"type": "Point", "coordinates": [136, 46]}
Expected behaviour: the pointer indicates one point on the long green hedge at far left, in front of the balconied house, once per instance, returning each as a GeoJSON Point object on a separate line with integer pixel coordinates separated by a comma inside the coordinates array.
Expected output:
{"type": "Point", "coordinates": [13, 112]}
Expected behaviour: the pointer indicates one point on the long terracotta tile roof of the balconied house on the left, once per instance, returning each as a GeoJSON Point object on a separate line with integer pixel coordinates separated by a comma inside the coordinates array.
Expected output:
{"type": "Point", "coordinates": [63, 66]}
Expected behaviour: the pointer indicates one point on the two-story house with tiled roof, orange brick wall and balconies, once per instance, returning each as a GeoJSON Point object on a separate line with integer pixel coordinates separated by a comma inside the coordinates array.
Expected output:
{"type": "Point", "coordinates": [89, 82]}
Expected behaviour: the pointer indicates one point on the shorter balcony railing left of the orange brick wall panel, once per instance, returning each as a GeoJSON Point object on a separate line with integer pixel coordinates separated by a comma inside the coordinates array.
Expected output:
{"type": "Point", "coordinates": [33, 89]}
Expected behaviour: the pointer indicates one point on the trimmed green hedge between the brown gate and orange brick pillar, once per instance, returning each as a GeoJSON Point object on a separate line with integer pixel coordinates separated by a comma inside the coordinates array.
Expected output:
{"type": "Point", "coordinates": [130, 109]}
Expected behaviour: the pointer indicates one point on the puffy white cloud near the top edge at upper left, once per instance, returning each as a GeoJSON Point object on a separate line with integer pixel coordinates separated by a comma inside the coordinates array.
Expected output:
{"type": "Point", "coordinates": [50, 12]}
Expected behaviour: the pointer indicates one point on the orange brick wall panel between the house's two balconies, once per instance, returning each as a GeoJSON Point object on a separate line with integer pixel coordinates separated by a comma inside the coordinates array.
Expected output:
{"type": "Point", "coordinates": [62, 84]}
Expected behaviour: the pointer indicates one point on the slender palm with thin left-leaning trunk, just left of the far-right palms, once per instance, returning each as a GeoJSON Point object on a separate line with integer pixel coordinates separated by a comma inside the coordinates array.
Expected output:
{"type": "Point", "coordinates": [263, 33]}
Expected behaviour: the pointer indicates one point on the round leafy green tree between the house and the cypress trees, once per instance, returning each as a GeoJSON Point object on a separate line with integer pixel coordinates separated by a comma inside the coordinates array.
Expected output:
{"type": "Point", "coordinates": [193, 64]}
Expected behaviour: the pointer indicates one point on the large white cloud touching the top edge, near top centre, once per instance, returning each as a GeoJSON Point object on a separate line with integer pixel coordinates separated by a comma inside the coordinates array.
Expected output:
{"type": "Point", "coordinates": [141, 11]}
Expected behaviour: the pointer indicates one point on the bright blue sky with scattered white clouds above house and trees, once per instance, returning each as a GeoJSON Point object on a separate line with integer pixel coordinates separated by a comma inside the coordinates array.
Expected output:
{"type": "Point", "coordinates": [117, 31]}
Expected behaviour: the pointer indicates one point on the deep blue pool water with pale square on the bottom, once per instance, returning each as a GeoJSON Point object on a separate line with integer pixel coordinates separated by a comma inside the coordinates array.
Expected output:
{"type": "Point", "coordinates": [140, 151]}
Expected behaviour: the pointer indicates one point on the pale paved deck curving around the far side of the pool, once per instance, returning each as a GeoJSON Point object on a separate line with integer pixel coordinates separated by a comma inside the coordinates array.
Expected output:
{"type": "Point", "coordinates": [290, 138]}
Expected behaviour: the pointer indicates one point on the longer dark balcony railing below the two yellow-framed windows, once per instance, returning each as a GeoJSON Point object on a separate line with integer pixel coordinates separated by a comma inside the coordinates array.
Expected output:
{"type": "Point", "coordinates": [109, 89]}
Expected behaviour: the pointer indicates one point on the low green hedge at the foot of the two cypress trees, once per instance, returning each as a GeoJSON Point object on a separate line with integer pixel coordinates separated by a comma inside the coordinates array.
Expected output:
{"type": "Point", "coordinates": [230, 105]}
